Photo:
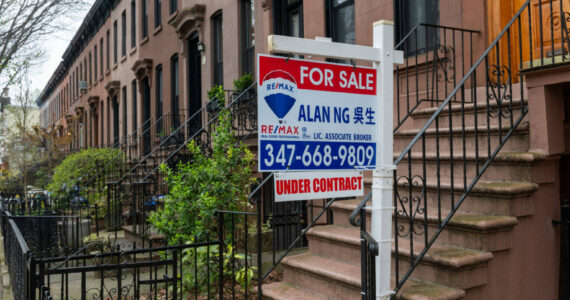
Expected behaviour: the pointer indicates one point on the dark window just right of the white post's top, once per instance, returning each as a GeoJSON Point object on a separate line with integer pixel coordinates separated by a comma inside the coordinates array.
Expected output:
{"type": "Point", "coordinates": [411, 13]}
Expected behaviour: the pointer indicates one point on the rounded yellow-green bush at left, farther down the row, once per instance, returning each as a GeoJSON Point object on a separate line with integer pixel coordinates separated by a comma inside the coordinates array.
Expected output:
{"type": "Point", "coordinates": [85, 169]}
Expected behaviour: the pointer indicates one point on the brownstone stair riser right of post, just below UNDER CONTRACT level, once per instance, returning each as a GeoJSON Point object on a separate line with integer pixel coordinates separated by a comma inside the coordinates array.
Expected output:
{"type": "Point", "coordinates": [477, 203]}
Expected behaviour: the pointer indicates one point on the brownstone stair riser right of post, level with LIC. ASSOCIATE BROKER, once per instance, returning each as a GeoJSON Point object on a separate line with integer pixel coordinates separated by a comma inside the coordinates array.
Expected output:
{"type": "Point", "coordinates": [518, 142]}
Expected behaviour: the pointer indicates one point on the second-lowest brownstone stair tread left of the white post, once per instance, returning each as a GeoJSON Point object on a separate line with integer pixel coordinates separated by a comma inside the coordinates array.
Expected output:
{"type": "Point", "coordinates": [332, 269]}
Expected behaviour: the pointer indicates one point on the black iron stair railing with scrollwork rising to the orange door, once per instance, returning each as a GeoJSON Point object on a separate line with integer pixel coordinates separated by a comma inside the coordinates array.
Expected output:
{"type": "Point", "coordinates": [448, 156]}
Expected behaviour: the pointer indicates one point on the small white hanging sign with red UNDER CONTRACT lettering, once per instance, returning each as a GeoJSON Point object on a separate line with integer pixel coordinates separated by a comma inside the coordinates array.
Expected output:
{"type": "Point", "coordinates": [292, 186]}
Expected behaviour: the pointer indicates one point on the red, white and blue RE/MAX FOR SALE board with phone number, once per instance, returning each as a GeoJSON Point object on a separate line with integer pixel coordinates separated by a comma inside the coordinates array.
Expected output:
{"type": "Point", "coordinates": [315, 115]}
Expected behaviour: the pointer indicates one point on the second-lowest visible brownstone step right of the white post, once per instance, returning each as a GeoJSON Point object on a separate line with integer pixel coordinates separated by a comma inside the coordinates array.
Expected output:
{"type": "Point", "coordinates": [451, 266]}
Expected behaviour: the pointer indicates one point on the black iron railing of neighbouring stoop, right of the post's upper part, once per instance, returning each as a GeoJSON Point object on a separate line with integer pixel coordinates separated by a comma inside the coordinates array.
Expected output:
{"type": "Point", "coordinates": [436, 57]}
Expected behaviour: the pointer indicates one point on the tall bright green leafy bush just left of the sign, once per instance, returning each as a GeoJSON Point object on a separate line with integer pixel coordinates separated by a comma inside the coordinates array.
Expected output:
{"type": "Point", "coordinates": [198, 188]}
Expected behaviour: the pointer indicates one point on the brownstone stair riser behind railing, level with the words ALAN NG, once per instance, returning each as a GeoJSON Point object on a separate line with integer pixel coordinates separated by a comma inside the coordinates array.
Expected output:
{"type": "Point", "coordinates": [457, 118]}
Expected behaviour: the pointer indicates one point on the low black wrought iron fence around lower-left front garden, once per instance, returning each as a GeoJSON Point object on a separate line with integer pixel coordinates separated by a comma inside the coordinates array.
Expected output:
{"type": "Point", "coordinates": [224, 264]}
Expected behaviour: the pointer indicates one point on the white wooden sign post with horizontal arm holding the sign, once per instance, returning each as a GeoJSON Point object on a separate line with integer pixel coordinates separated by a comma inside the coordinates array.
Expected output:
{"type": "Point", "coordinates": [383, 55]}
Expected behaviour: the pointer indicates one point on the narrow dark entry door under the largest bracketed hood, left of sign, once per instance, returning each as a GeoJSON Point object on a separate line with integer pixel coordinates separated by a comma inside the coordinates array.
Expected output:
{"type": "Point", "coordinates": [194, 83]}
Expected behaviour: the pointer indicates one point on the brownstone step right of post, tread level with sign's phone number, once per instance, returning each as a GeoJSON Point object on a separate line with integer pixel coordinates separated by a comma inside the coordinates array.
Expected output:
{"type": "Point", "coordinates": [507, 166]}
